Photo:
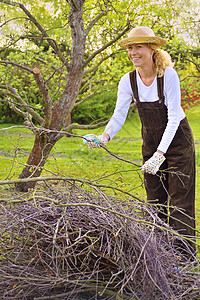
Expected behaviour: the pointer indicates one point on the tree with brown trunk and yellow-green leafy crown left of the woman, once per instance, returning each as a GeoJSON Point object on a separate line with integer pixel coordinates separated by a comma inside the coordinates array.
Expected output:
{"type": "Point", "coordinates": [56, 56]}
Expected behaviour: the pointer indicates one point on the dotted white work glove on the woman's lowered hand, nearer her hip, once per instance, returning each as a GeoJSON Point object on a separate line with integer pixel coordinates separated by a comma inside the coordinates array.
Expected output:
{"type": "Point", "coordinates": [153, 164]}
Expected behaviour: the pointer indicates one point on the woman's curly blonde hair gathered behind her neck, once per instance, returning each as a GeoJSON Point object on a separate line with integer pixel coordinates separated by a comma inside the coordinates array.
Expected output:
{"type": "Point", "coordinates": [161, 59]}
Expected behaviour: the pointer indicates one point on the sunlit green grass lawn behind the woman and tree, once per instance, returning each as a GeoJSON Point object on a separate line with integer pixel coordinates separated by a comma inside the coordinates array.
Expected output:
{"type": "Point", "coordinates": [71, 157]}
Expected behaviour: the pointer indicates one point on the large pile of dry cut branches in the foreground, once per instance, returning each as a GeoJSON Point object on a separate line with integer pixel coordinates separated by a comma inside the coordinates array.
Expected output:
{"type": "Point", "coordinates": [63, 242]}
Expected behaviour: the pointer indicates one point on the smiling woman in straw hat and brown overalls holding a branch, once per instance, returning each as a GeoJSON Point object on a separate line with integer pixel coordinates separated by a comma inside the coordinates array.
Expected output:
{"type": "Point", "coordinates": [167, 137]}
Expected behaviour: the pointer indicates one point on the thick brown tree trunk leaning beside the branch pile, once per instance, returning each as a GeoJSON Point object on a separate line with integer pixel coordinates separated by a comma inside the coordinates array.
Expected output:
{"type": "Point", "coordinates": [62, 108]}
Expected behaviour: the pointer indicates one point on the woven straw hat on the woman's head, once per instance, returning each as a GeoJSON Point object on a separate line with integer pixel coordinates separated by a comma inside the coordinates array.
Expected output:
{"type": "Point", "coordinates": [141, 34]}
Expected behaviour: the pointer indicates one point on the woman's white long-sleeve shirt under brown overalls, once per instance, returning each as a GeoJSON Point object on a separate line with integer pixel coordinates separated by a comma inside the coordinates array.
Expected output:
{"type": "Point", "coordinates": [172, 95]}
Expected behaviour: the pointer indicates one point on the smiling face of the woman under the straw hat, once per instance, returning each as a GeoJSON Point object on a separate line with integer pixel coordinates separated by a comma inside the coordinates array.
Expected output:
{"type": "Point", "coordinates": [140, 55]}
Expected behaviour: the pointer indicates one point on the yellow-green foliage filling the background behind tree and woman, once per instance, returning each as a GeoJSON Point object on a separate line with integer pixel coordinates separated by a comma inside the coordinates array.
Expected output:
{"type": "Point", "coordinates": [23, 43]}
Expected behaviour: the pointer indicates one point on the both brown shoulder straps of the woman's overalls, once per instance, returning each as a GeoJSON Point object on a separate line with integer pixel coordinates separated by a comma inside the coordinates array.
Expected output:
{"type": "Point", "coordinates": [160, 84]}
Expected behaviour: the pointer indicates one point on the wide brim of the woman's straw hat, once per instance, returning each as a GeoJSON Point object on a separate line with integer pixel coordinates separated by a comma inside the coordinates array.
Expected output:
{"type": "Point", "coordinates": [124, 43]}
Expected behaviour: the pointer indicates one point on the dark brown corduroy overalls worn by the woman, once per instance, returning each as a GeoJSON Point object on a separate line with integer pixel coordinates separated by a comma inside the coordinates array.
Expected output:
{"type": "Point", "coordinates": [180, 158]}
